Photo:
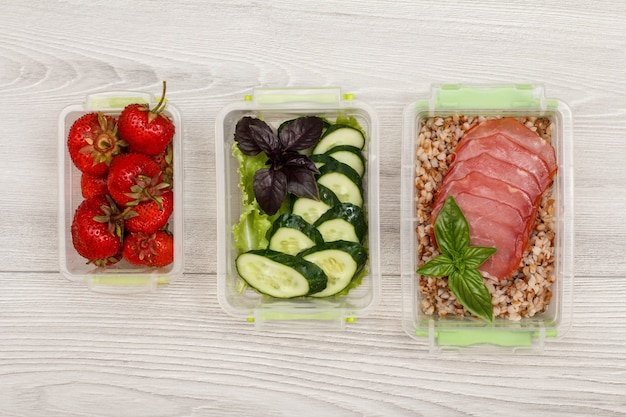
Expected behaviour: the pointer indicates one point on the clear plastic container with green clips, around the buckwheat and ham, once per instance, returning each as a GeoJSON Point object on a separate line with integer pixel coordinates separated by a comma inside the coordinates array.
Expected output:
{"type": "Point", "coordinates": [457, 333]}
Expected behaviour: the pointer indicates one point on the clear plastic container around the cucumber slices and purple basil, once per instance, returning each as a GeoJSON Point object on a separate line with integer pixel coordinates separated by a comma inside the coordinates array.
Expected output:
{"type": "Point", "coordinates": [275, 106]}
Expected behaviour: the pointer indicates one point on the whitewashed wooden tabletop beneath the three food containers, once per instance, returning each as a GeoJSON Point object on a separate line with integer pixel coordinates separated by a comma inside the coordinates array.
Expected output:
{"type": "Point", "coordinates": [67, 352]}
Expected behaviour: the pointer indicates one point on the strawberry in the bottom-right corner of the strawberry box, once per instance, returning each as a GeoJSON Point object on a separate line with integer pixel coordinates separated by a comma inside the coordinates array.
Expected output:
{"type": "Point", "coordinates": [155, 249]}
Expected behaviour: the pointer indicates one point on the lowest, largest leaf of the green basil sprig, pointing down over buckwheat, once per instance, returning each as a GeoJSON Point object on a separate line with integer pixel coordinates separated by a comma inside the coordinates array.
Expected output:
{"type": "Point", "coordinates": [468, 287]}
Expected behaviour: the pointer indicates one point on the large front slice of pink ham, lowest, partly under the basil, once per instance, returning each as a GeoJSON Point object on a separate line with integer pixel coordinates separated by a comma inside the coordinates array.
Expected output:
{"type": "Point", "coordinates": [501, 231]}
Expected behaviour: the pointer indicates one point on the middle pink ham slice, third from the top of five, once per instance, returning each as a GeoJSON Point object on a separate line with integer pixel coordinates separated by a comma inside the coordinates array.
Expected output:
{"type": "Point", "coordinates": [499, 169]}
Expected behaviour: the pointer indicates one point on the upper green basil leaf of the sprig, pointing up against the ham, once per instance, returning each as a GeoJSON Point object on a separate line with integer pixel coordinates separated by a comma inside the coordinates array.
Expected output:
{"type": "Point", "coordinates": [452, 230]}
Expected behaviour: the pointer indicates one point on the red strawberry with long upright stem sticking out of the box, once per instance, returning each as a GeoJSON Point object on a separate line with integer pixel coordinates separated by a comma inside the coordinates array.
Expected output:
{"type": "Point", "coordinates": [146, 130]}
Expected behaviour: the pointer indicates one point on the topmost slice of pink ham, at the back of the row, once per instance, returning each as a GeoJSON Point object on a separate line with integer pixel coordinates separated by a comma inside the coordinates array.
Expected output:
{"type": "Point", "coordinates": [519, 133]}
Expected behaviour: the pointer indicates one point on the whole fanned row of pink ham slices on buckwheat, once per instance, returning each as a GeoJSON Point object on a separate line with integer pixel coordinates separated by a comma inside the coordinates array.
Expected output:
{"type": "Point", "coordinates": [499, 171]}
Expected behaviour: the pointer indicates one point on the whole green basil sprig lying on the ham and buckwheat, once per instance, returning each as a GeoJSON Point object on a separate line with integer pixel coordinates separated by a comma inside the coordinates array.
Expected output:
{"type": "Point", "coordinates": [459, 261]}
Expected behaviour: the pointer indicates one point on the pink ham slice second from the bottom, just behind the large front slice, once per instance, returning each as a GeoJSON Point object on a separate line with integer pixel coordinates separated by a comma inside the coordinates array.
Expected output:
{"type": "Point", "coordinates": [480, 185]}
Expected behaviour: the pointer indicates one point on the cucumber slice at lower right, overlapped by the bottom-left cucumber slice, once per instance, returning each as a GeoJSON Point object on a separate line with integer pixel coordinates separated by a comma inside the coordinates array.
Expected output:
{"type": "Point", "coordinates": [341, 261]}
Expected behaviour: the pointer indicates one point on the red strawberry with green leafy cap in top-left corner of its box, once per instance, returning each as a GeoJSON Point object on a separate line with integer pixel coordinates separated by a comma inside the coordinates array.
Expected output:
{"type": "Point", "coordinates": [93, 142]}
